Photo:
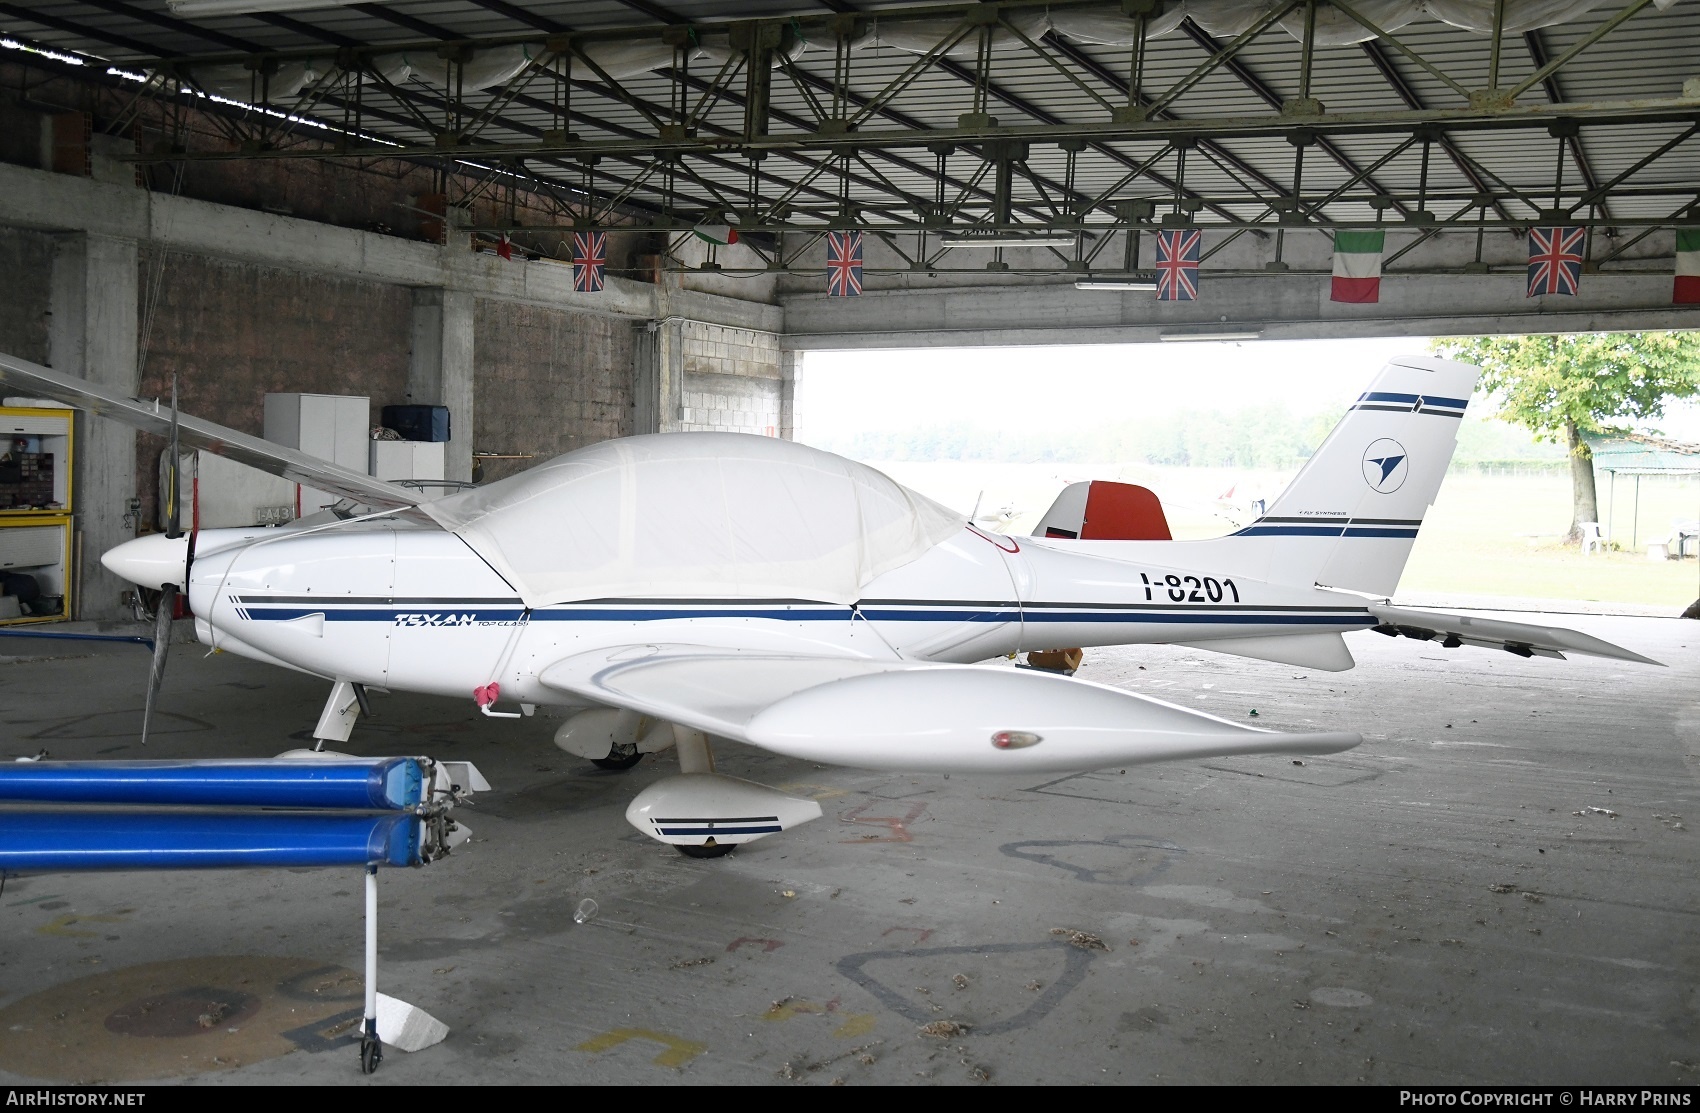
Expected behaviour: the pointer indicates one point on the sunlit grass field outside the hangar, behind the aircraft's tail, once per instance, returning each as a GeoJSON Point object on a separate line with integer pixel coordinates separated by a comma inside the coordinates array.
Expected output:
{"type": "Point", "coordinates": [1485, 536]}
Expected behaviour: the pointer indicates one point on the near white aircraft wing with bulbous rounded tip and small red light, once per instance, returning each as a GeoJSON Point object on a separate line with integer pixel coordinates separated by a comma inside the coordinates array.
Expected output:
{"type": "Point", "coordinates": [910, 716]}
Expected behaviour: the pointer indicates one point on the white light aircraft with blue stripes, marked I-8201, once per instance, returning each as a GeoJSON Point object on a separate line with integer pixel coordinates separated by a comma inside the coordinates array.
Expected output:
{"type": "Point", "coordinates": [674, 587]}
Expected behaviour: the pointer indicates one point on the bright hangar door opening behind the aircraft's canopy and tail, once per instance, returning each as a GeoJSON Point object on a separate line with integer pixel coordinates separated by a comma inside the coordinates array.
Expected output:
{"type": "Point", "coordinates": [1220, 429]}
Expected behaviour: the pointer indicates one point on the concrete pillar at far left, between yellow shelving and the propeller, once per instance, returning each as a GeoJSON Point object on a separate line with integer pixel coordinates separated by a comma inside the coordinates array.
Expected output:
{"type": "Point", "coordinates": [96, 290]}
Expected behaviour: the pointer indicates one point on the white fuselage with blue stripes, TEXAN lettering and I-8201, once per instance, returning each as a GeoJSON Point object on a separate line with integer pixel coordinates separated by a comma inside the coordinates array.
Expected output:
{"type": "Point", "coordinates": [417, 611]}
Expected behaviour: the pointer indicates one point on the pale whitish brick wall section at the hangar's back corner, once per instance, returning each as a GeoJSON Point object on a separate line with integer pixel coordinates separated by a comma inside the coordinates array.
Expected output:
{"type": "Point", "coordinates": [732, 380]}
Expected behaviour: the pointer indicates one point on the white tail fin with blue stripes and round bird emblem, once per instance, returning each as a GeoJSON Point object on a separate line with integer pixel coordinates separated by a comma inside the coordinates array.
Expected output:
{"type": "Point", "coordinates": [1351, 516]}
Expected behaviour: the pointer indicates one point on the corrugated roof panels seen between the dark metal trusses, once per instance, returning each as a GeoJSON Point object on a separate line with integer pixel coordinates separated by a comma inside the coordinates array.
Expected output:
{"type": "Point", "coordinates": [1650, 57]}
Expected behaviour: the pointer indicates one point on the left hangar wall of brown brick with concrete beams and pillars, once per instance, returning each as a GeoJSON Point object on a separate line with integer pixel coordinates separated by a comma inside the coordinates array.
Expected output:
{"type": "Point", "coordinates": [259, 302]}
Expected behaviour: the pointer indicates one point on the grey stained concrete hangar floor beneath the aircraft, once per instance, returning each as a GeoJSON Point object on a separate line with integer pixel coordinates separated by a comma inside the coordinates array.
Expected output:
{"type": "Point", "coordinates": [1429, 908]}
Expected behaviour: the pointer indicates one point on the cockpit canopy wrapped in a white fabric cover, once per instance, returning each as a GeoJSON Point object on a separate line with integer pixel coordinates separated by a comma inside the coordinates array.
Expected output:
{"type": "Point", "coordinates": [696, 516]}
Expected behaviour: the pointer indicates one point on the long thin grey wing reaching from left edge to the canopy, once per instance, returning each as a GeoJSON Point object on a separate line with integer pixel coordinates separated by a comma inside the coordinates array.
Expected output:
{"type": "Point", "coordinates": [38, 381]}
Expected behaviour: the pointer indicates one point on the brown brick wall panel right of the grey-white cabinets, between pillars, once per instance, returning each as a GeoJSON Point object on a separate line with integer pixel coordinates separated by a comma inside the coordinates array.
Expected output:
{"type": "Point", "coordinates": [548, 381]}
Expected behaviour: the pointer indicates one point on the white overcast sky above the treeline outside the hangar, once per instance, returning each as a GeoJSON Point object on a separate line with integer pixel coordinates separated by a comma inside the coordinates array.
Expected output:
{"type": "Point", "coordinates": [842, 393]}
